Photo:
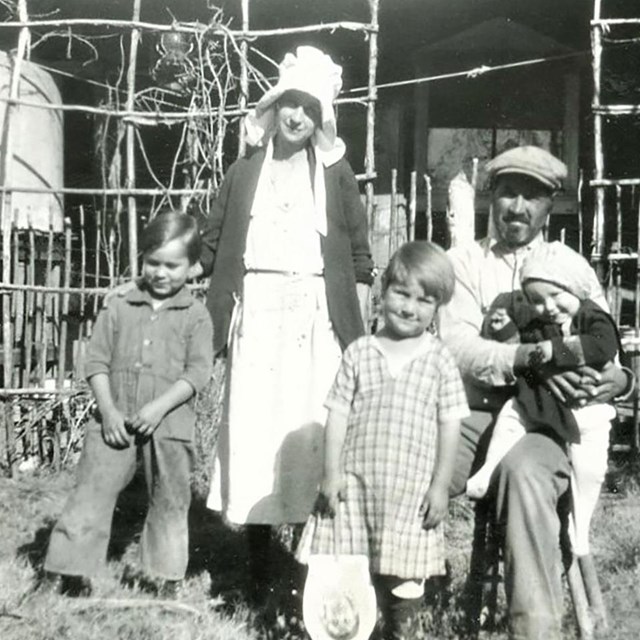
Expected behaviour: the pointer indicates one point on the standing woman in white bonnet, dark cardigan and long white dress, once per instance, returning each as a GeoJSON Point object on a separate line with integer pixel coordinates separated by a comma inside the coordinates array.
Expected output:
{"type": "Point", "coordinates": [287, 249]}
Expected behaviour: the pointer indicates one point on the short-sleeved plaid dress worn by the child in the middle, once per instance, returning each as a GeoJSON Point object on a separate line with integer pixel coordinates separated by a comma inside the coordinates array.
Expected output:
{"type": "Point", "coordinates": [389, 455]}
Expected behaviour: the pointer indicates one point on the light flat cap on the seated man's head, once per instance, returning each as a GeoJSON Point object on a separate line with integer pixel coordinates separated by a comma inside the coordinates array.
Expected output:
{"type": "Point", "coordinates": [530, 161]}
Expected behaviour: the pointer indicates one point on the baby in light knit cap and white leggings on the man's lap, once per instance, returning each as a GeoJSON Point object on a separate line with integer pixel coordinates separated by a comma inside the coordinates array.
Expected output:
{"type": "Point", "coordinates": [567, 330]}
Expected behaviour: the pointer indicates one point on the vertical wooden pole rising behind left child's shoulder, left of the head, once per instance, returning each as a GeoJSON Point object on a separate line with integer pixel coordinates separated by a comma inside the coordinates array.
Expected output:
{"type": "Point", "coordinates": [130, 142]}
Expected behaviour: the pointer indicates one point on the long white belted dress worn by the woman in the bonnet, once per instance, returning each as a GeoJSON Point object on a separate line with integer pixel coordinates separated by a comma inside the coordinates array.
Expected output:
{"type": "Point", "coordinates": [283, 359]}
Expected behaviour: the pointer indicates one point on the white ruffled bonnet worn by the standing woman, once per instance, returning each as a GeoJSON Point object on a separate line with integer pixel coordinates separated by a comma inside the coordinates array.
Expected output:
{"type": "Point", "coordinates": [310, 71]}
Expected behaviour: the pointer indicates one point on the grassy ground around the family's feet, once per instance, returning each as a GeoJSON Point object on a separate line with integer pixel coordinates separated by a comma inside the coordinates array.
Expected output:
{"type": "Point", "coordinates": [215, 602]}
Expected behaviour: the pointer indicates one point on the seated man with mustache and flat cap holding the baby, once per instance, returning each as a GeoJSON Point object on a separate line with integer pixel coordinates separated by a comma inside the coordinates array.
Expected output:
{"type": "Point", "coordinates": [535, 474]}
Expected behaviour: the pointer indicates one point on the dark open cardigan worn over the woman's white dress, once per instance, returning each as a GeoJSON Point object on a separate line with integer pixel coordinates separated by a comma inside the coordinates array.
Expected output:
{"type": "Point", "coordinates": [345, 249]}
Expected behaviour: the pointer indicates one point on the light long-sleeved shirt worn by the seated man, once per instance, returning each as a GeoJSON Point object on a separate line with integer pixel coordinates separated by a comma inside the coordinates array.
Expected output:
{"type": "Point", "coordinates": [483, 270]}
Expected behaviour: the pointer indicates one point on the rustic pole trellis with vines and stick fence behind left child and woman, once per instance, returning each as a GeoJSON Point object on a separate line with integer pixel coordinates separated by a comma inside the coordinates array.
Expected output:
{"type": "Point", "coordinates": [44, 308]}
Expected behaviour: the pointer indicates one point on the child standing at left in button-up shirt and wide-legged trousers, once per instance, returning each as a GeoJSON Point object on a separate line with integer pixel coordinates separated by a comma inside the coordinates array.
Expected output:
{"type": "Point", "coordinates": [150, 352]}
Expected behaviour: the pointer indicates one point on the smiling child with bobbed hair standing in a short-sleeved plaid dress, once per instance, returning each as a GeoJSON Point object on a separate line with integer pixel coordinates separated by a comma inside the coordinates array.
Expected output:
{"type": "Point", "coordinates": [394, 418]}
